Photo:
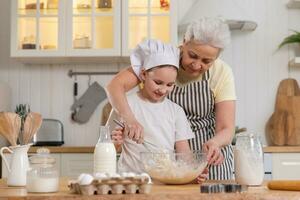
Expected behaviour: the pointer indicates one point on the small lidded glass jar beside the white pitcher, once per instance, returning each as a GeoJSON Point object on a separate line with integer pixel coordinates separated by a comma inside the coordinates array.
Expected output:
{"type": "Point", "coordinates": [42, 175]}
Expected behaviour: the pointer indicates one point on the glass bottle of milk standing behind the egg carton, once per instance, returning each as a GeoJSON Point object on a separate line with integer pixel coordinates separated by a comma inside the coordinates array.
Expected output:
{"type": "Point", "coordinates": [105, 153]}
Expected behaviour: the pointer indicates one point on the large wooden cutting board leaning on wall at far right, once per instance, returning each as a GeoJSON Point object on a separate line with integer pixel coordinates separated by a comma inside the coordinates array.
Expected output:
{"type": "Point", "coordinates": [283, 127]}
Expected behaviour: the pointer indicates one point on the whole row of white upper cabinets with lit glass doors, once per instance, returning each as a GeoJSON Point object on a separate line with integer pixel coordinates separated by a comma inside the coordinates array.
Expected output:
{"type": "Point", "coordinates": [88, 28]}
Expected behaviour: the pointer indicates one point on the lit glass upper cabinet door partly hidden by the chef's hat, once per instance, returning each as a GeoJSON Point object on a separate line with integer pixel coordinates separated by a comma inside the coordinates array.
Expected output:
{"type": "Point", "coordinates": [144, 19]}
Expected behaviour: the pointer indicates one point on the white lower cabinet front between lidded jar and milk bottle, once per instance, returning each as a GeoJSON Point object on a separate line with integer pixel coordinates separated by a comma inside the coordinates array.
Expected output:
{"type": "Point", "coordinates": [73, 164]}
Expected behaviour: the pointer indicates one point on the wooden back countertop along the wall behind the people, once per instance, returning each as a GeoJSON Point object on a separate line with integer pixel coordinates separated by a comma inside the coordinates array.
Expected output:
{"type": "Point", "coordinates": [90, 149]}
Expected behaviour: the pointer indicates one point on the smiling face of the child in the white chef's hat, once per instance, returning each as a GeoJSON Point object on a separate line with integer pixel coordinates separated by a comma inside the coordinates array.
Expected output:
{"type": "Point", "coordinates": [158, 82]}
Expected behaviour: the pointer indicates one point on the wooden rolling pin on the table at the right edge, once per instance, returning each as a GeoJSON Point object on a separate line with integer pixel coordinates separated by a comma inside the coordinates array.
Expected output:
{"type": "Point", "coordinates": [292, 185]}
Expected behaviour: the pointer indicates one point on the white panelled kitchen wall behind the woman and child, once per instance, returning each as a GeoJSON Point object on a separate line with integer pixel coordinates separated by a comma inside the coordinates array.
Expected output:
{"type": "Point", "coordinates": [257, 66]}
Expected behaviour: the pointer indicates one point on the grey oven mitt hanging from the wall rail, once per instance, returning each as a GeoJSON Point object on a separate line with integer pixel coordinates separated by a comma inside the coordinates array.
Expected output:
{"type": "Point", "coordinates": [85, 106]}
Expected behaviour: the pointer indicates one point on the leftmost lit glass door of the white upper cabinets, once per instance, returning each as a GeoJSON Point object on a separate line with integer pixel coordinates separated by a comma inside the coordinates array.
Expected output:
{"type": "Point", "coordinates": [37, 28]}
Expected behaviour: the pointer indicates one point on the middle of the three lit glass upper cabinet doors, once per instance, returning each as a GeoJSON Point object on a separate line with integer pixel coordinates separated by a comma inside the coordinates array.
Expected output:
{"type": "Point", "coordinates": [94, 28]}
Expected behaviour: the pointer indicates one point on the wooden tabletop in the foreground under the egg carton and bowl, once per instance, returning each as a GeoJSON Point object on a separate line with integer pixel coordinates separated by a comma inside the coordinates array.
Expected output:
{"type": "Point", "coordinates": [158, 192]}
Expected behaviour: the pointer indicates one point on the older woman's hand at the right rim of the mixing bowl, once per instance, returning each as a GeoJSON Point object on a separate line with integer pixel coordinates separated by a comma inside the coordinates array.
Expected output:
{"type": "Point", "coordinates": [214, 154]}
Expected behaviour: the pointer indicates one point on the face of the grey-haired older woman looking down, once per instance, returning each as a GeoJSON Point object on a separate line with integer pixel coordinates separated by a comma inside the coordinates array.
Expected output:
{"type": "Point", "coordinates": [197, 58]}
